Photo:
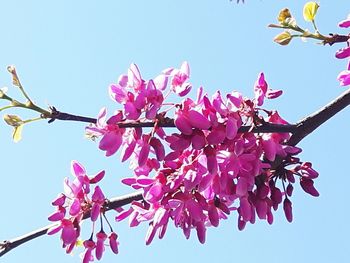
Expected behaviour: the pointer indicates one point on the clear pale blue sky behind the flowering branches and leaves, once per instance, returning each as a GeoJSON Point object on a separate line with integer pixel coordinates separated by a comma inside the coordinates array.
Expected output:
{"type": "Point", "coordinates": [68, 52]}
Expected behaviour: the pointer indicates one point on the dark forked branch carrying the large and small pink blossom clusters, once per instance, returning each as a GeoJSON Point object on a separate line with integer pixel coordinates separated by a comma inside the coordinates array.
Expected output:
{"type": "Point", "coordinates": [299, 131]}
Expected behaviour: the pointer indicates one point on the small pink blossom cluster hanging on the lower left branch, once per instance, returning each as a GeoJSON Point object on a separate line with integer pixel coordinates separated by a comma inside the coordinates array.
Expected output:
{"type": "Point", "coordinates": [77, 203]}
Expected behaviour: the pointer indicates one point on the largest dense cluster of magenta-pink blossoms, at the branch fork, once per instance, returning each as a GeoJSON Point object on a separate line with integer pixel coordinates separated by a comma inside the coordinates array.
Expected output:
{"type": "Point", "coordinates": [209, 167]}
